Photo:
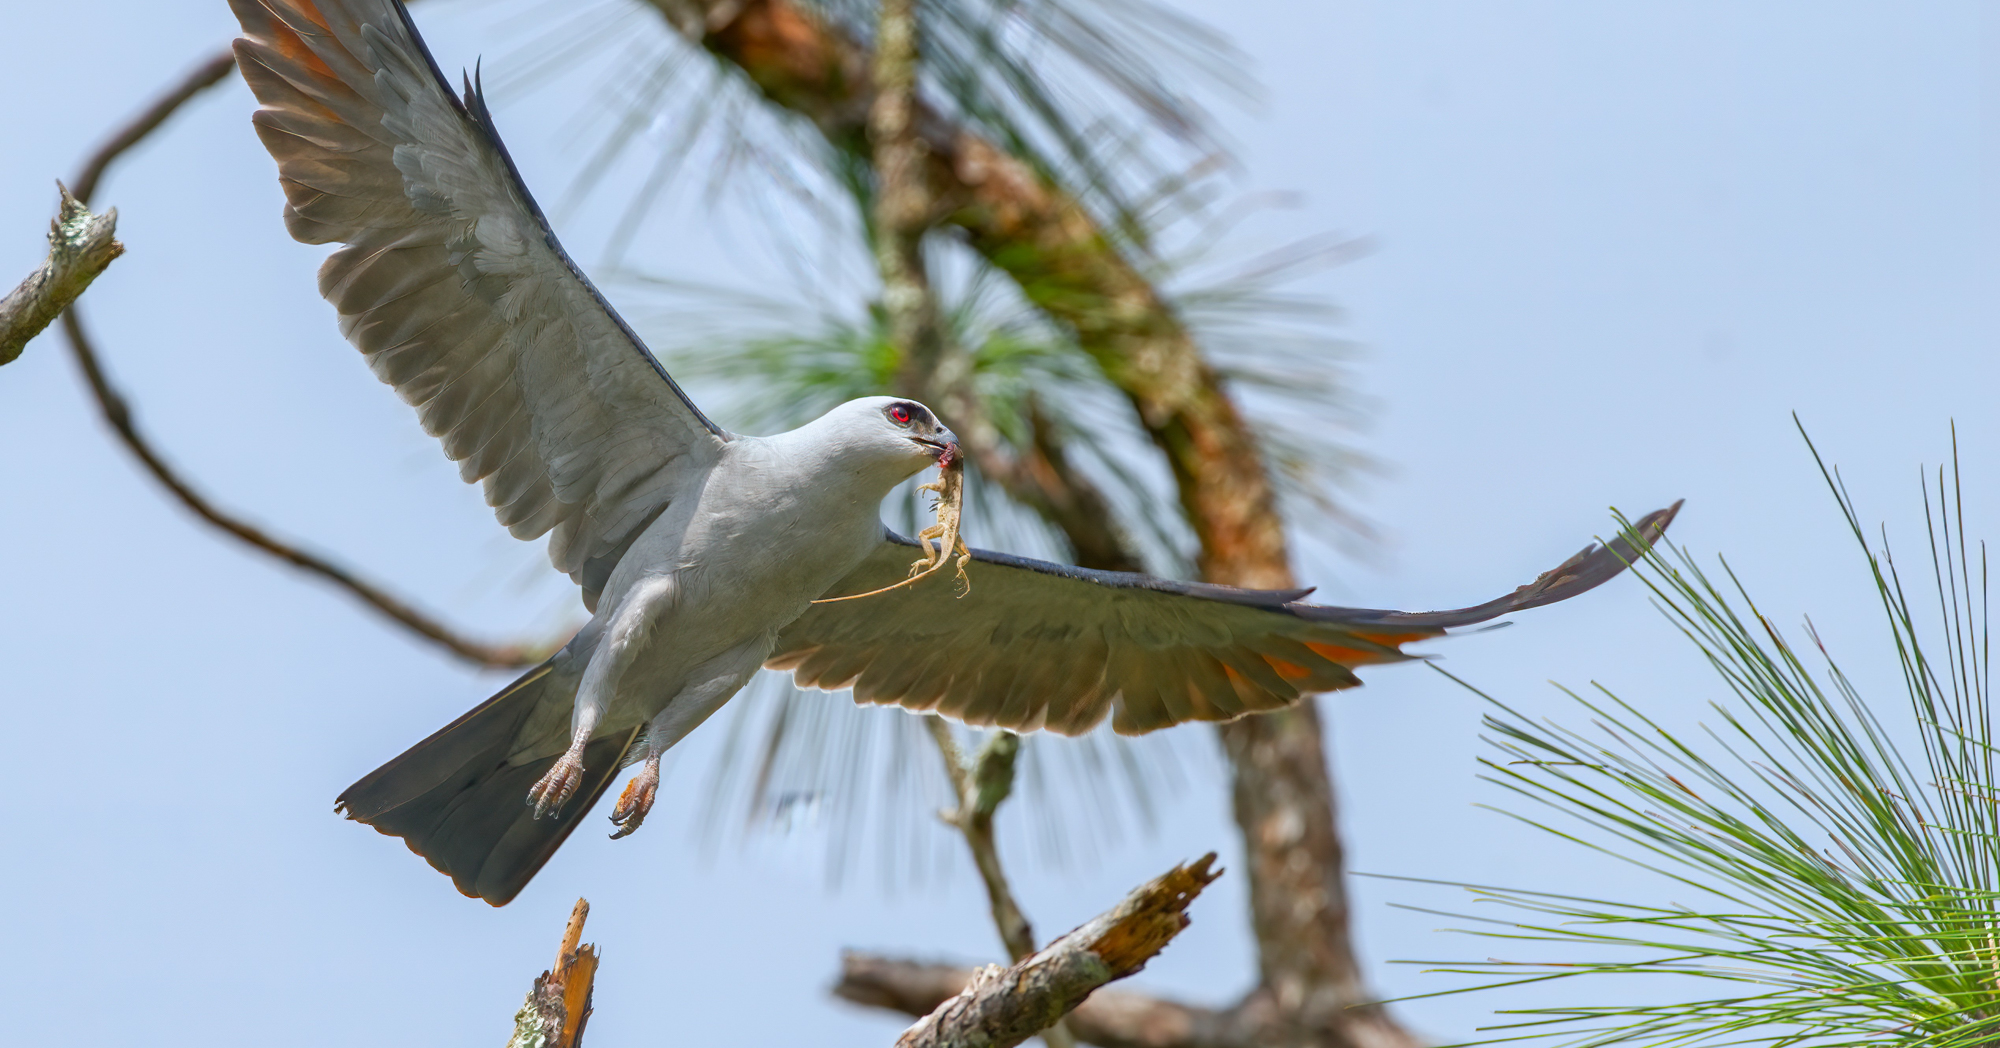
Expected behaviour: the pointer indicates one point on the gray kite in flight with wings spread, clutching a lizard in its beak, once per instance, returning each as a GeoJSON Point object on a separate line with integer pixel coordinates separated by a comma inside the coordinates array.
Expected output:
{"type": "Point", "coordinates": [699, 553]}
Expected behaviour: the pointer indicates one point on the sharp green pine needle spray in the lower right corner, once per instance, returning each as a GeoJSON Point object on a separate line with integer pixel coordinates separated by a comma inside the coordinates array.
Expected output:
{"type": "Point", "coordinates": [1847, 867]}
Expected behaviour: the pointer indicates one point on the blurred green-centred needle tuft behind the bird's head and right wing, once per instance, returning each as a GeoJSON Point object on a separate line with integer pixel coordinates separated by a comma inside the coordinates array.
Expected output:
{"type": "Point", "coordinates": [871, 779]}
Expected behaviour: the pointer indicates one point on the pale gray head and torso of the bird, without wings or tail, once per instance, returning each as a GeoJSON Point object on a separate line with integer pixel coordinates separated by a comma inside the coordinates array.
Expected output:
{"type": "Point", "coordinates": [743, 549]}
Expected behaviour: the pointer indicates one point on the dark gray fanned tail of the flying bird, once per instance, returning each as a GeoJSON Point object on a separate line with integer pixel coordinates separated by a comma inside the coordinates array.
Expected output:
{"type": "Point", "coordinates": [457, 801]}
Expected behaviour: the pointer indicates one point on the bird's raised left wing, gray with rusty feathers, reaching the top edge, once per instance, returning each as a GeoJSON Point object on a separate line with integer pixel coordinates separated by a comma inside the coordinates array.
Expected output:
{"type": "Point", "coordinates": [455, 287]}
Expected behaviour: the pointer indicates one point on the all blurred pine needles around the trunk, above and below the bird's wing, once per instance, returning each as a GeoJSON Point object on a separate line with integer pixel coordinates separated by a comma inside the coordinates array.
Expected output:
{"type": "Point", "coordinates": [1107, 99]}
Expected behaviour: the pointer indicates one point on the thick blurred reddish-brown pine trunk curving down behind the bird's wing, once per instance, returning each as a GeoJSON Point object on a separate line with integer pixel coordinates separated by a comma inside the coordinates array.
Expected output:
{"type": "Point", "coordinates": [1311, 989]}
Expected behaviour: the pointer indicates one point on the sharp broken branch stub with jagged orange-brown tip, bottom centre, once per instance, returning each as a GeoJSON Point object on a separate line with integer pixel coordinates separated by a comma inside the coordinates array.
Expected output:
{"type": "Point", "coordinates": [1005, 1007]}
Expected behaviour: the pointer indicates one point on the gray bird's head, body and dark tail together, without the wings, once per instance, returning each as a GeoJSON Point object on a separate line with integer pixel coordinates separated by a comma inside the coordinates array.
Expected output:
{"type": "Point", "coordinates": [687, 617]}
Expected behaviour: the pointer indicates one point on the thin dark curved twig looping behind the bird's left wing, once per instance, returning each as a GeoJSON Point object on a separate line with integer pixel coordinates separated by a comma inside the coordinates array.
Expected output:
{"type": "Point", "coordinates": [119, 415]}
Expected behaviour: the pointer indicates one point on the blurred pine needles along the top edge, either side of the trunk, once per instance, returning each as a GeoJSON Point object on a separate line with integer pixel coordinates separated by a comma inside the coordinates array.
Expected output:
{"type": "Point", "coordinates": [1109, 99]}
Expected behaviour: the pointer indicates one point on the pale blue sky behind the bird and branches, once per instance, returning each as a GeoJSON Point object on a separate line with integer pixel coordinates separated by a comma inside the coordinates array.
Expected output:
{"type": "Point", "coordinates": [1617, 245]}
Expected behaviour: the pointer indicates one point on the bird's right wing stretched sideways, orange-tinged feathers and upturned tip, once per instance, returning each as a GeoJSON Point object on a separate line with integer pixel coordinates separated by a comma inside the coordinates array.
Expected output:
{"type": "Point", "coordinates": [1037, 645]}
